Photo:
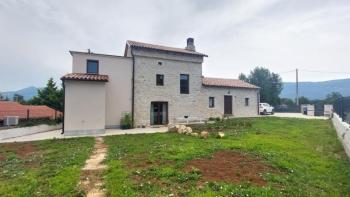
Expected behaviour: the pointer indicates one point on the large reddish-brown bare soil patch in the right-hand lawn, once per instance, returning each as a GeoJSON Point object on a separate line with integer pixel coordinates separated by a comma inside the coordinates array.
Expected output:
{"type": "Point", "coordinates": [231, 167]}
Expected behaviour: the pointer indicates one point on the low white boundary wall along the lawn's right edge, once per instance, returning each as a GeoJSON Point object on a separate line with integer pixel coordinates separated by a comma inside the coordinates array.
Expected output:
{"type": "Point", "coordinates": [343, 132]}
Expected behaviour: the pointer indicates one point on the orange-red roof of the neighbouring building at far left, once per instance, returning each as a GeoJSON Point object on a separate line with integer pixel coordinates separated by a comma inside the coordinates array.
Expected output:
{"type": "Point", "coordinates": [11, 108]}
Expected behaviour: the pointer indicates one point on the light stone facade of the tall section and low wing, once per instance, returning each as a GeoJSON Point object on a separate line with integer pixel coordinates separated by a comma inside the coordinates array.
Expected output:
{"type": "Point", "coordinates": [195, 104]}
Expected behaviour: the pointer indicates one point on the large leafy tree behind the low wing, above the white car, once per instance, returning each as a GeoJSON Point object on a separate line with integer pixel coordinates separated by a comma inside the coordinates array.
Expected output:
{"type": "Point", "coordinates": [270, 84]}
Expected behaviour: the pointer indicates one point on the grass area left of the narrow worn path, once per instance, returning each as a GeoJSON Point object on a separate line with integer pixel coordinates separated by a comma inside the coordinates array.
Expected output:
{"type": "Point", "coordinates": [43, 168]}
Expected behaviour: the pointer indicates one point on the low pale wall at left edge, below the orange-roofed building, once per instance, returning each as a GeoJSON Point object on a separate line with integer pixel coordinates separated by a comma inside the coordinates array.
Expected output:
{"type": "Point", "coordinates": [22, 131]}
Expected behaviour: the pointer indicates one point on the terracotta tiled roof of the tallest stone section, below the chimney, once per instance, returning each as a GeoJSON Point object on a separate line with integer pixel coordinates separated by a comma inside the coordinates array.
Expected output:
{"type": "Point", "coordinates": [142, 45]}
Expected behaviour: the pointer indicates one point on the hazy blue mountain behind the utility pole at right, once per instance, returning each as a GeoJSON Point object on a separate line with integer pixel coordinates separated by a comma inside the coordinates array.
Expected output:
{"type": "Point", "coordinates": [316, 90]}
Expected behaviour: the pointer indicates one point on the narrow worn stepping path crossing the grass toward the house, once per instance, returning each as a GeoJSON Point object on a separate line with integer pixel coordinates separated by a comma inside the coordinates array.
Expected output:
{"type": "Point", "coordinates": [91, 180]}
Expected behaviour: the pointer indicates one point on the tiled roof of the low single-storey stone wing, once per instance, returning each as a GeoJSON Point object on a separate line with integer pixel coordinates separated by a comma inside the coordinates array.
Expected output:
{"type": "Point", "coordinates": [220, 82]}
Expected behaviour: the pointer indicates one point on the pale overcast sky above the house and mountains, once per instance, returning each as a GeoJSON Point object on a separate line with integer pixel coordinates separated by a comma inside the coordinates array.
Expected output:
{"type": "Point", "coordinates": [238, 35]}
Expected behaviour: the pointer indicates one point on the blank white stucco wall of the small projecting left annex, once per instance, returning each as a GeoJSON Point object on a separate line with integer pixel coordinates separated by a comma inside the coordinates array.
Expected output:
{"type": "Point", "coordinates": [84, 107]}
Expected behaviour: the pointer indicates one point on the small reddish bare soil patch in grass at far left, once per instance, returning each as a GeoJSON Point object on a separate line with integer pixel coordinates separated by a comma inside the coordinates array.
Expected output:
{"type": "Point", "coordinates": [22, 150]}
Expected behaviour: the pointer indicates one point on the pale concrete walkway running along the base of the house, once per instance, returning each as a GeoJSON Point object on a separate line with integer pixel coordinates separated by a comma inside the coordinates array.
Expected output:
{"type": "Point", "coordinates": [56, 134]}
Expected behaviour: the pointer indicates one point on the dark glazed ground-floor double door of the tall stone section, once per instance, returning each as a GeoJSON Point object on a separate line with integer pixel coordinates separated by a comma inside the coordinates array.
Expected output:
{"type": "Point", "coordinates": [159, 113]}
